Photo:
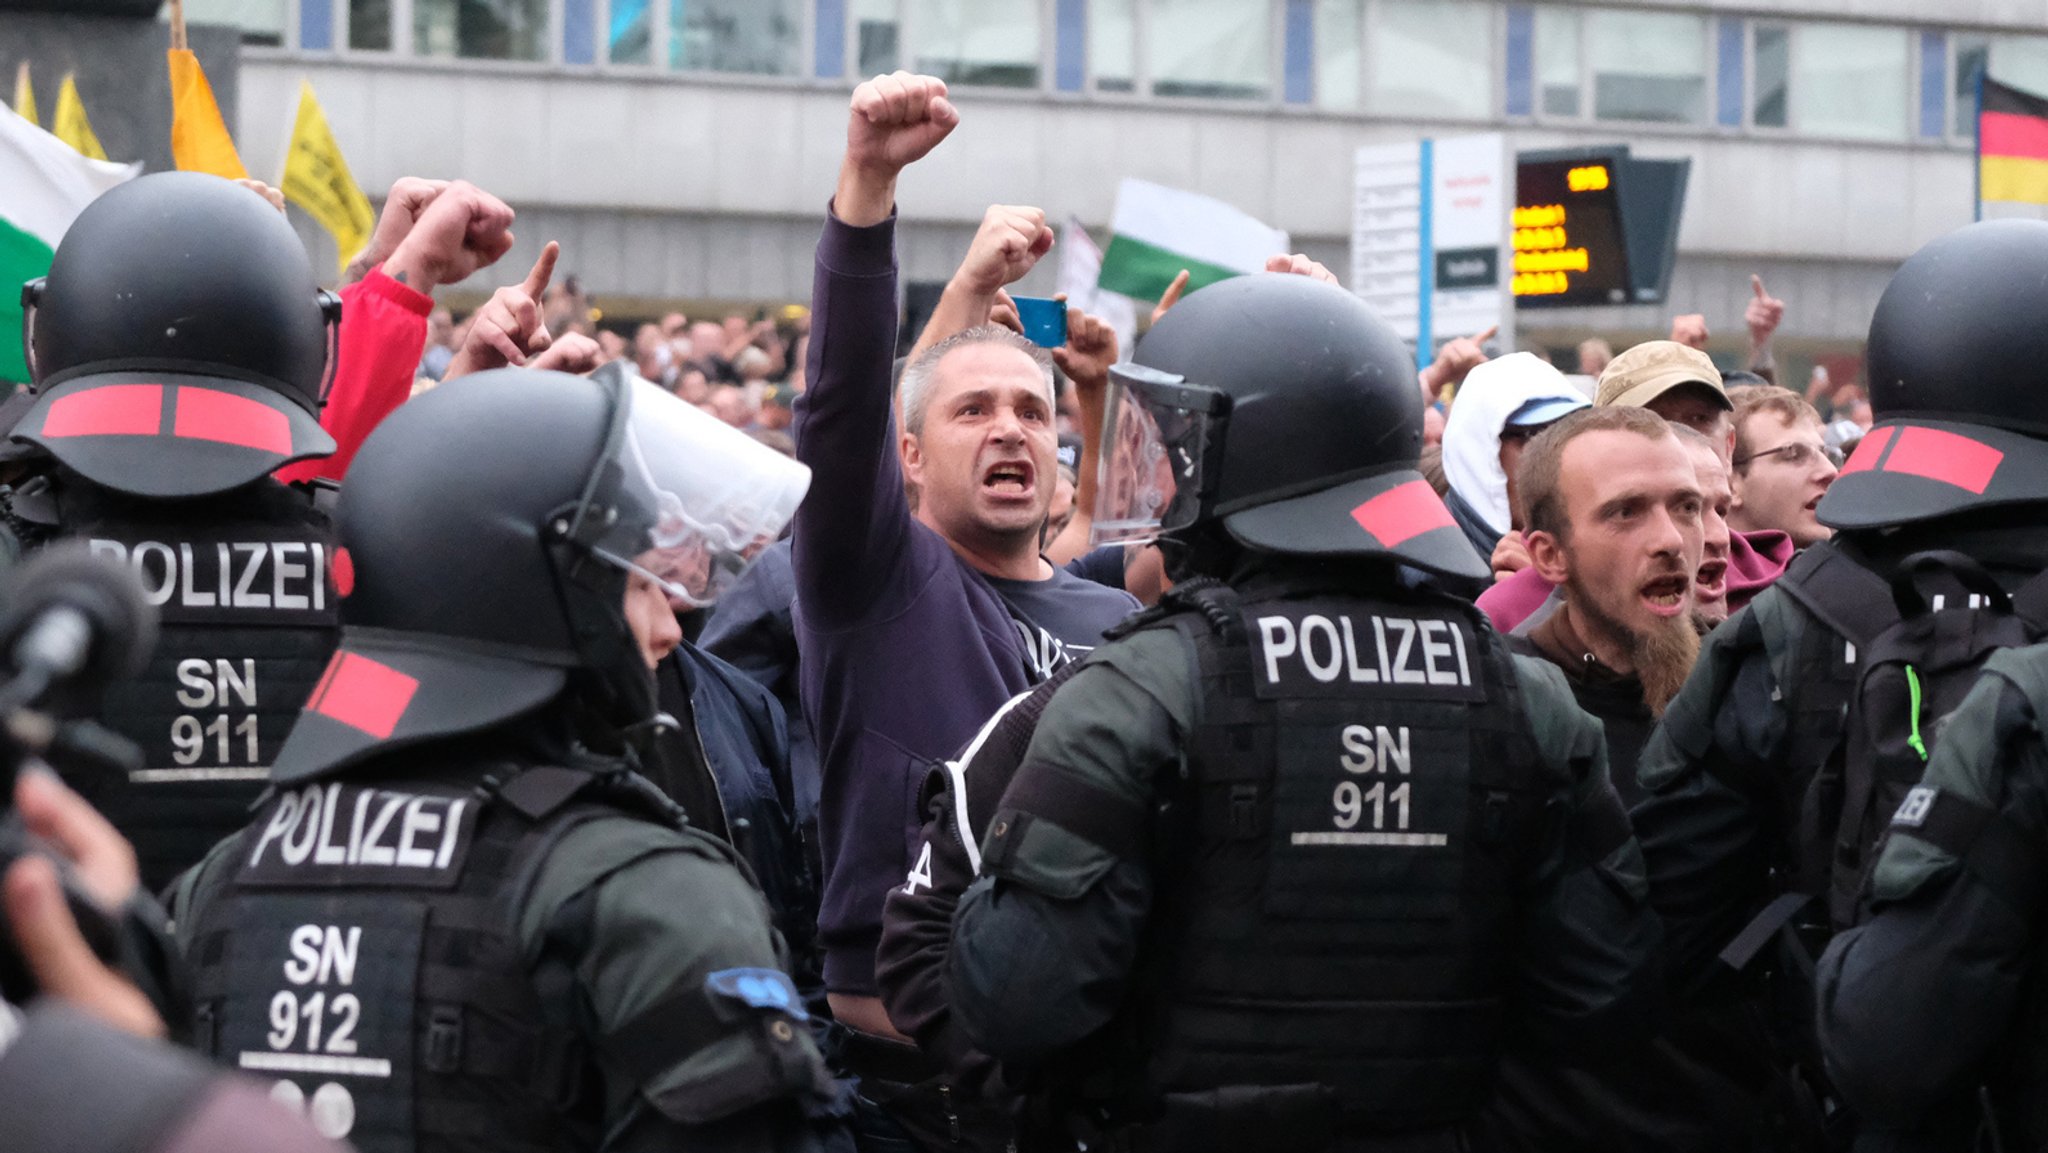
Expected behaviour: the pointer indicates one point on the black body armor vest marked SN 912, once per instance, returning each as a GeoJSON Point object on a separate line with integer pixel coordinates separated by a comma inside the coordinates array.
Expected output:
{"type": "Point", "coordinates": [359, 945]}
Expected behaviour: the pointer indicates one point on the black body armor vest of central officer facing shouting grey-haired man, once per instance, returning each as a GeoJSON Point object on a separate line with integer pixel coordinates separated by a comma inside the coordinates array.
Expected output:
{"type": "Point", "coordinates": [1340, 869]}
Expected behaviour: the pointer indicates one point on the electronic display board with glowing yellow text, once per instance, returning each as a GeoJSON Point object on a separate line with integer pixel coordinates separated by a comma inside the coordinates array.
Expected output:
{"type": "Point", "coordinates": [1570, 243]}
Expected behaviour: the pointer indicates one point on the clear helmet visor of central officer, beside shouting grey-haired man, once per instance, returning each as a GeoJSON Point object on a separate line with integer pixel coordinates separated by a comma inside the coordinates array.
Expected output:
{"type": "Point", "coordinates": [1158, 437]}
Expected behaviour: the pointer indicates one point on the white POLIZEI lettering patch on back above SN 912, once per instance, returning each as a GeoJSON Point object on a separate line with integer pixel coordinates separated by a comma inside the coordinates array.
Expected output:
{"type": "Point", "coordinates": [333, 824]}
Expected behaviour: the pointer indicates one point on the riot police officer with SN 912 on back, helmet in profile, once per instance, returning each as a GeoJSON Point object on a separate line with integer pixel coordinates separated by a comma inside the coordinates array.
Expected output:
{"type": "Point", "coordinates": [464, 921]}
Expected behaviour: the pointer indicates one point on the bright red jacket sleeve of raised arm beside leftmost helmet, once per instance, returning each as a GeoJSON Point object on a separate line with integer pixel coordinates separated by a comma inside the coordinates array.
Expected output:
{"type": "Point", "coordinates": [384, 333]}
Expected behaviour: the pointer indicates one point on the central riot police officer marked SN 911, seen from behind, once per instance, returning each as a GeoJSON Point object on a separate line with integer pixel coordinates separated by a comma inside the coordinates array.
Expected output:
{"type": "Point", "coordinates": [1289, 863]}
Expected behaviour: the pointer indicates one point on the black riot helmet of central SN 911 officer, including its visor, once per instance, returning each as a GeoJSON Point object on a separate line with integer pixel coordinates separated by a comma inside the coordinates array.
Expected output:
{"type": "Point", "coordinates": [1283, 411]}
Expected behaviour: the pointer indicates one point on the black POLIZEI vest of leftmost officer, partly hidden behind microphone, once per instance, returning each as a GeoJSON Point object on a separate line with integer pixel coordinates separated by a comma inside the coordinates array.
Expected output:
{"type": "Point", "coordinates": [251, 613]}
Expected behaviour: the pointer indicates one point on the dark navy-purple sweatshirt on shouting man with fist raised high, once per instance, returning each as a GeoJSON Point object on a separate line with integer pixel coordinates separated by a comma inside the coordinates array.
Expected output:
{"type": "Point", "coordinates": [904, 648]}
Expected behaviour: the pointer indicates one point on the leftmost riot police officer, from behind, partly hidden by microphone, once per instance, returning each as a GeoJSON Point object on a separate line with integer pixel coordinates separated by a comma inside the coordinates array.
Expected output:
{"type": "Point", "coordinates": [179, 351]}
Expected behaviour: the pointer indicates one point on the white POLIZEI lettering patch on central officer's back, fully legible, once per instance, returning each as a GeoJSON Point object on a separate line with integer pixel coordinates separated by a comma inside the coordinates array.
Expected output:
{"type": "Point", "coordinates": [1365, 650]}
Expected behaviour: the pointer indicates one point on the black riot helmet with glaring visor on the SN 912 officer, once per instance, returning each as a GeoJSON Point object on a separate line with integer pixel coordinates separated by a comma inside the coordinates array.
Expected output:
{"type": "Point", "coordinates": [486, 538]}
